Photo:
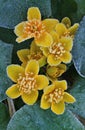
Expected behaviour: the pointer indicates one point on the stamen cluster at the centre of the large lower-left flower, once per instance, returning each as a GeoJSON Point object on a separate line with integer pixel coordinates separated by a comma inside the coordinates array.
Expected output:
{"type": "Point", "coordinates": [26, 83]}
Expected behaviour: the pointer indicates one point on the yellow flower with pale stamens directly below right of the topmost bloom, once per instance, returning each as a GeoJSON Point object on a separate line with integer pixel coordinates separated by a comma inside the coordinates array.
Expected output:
{"type": "Point", "coordinates": [59, 51]}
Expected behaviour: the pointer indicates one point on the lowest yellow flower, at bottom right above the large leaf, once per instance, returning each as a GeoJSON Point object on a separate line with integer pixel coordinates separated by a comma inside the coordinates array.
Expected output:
{"type": "Point", "coordinates": [55, 97]}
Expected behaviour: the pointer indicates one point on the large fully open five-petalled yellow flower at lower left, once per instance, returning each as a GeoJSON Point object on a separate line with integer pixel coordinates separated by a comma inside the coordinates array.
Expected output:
{"type": "Point", "coordinates": [27, 80]}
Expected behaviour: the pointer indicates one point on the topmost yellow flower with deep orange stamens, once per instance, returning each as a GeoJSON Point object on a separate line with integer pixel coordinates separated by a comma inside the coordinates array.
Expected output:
{"type": "Point", "coordinates": [35, 28]}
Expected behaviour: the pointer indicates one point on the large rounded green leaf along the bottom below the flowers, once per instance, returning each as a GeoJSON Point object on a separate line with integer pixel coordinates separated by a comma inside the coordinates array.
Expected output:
{"type": "Point", "coordinates": [34, 118]}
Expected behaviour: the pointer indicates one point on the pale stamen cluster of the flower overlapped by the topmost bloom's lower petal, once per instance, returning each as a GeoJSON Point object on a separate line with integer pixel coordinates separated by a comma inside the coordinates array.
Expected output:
{"type": "Point", "coordinates": [57, 50]}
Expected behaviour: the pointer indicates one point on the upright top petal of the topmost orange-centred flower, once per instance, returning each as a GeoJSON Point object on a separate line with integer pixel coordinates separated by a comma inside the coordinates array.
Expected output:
{"type": "Point", "coordinates": [33, 13]}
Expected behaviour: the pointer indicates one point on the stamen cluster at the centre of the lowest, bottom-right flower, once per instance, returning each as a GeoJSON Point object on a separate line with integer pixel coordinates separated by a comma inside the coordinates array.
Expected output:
{"type": "Point", "coordinates": [55, 96]}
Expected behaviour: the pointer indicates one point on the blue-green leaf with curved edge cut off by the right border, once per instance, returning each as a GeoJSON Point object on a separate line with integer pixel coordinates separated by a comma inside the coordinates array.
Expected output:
{"type": "Point", "coordinates": [79, 49]}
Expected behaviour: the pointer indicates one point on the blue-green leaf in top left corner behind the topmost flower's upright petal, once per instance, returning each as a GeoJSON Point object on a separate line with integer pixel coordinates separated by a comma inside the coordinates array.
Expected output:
{"type": "Point", "coordinates": [13, 12]}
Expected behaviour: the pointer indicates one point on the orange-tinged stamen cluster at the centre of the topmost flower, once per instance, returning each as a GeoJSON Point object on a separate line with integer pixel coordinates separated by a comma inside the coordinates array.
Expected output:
{"type": "Point", "coordinates": [34, 28]}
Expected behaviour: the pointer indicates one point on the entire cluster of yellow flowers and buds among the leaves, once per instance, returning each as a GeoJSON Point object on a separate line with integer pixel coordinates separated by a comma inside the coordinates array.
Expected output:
{"type": "Point", "coordinates": [53, 41]}
